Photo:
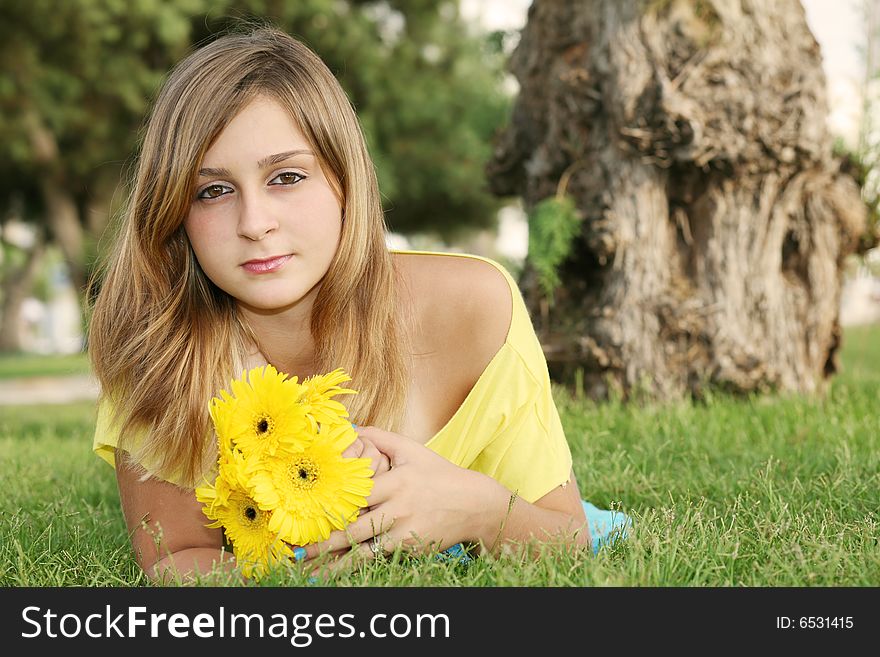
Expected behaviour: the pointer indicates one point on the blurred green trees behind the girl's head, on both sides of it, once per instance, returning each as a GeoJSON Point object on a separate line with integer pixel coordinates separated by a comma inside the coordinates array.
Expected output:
{"type": "Point", "coordinates": [78, 76]}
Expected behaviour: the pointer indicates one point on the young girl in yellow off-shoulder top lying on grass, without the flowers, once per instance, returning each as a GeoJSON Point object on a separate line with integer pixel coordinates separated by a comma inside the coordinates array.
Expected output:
{"type": "Point", "coordinates": [254, 234]}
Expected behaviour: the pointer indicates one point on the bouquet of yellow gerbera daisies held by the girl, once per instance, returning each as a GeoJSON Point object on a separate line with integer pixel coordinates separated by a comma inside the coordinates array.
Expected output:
{"type": "Point", "coordinates": [281, 478]}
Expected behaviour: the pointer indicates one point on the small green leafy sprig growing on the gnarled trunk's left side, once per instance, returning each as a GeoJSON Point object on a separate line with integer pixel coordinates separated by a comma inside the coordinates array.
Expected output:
{"type": "Point", "coordinates": [553, 225]}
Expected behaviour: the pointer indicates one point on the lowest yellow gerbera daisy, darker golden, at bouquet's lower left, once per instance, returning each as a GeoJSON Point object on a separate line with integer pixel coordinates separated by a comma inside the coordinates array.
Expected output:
{"type": "Point", "coordinates": [256, 547]}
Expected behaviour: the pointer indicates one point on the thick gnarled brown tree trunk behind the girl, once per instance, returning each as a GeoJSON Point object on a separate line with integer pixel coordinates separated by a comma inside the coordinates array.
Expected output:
{"type": "Point", "coordinates": [715, 219]}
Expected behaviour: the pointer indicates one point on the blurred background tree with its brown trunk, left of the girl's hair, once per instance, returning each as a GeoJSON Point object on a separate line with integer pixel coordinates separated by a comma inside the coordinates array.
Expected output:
{"type": "Point", "coordinates": [76, 78]}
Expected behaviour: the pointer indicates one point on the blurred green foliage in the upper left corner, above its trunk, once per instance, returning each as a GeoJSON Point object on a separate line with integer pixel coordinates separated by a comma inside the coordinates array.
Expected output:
{"type": "Point", "coordinates": [85, 70]}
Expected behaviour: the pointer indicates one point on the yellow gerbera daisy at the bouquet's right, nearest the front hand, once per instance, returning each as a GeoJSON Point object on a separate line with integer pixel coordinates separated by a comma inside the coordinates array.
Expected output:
{"type": "Point", "coordinates": [315, 491]}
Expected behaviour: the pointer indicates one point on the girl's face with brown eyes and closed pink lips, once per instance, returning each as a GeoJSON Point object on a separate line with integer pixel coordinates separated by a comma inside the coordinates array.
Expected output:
{"type": "Point", "coordinates": [264, 222]}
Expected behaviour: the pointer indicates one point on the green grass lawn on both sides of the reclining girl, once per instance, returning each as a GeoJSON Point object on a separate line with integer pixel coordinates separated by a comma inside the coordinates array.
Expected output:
{"type": "Point", "coordinates": [766, 491]}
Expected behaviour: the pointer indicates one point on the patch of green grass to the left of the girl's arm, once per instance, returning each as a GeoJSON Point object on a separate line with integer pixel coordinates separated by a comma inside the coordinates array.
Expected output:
{"type": "Point", "coordinates": [60, 522]}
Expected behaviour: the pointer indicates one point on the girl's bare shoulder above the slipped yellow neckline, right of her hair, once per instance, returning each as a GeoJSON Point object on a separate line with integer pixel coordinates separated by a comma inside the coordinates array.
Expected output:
{"type": "Point", "coordinates": [463, 299]}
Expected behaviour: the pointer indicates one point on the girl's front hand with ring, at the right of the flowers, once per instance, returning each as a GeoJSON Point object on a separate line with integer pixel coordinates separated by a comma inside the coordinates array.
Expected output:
{"type": "Point", "coordinates": [423, 503]}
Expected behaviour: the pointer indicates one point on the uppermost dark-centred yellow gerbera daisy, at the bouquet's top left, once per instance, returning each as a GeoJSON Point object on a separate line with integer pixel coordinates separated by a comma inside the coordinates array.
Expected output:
{"type": "Point", "coordinates": [261, 413]}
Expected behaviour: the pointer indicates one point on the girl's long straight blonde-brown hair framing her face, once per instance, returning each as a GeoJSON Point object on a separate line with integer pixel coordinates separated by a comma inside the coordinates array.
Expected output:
{"type": "Point", "coordinates": [163, 339]}
